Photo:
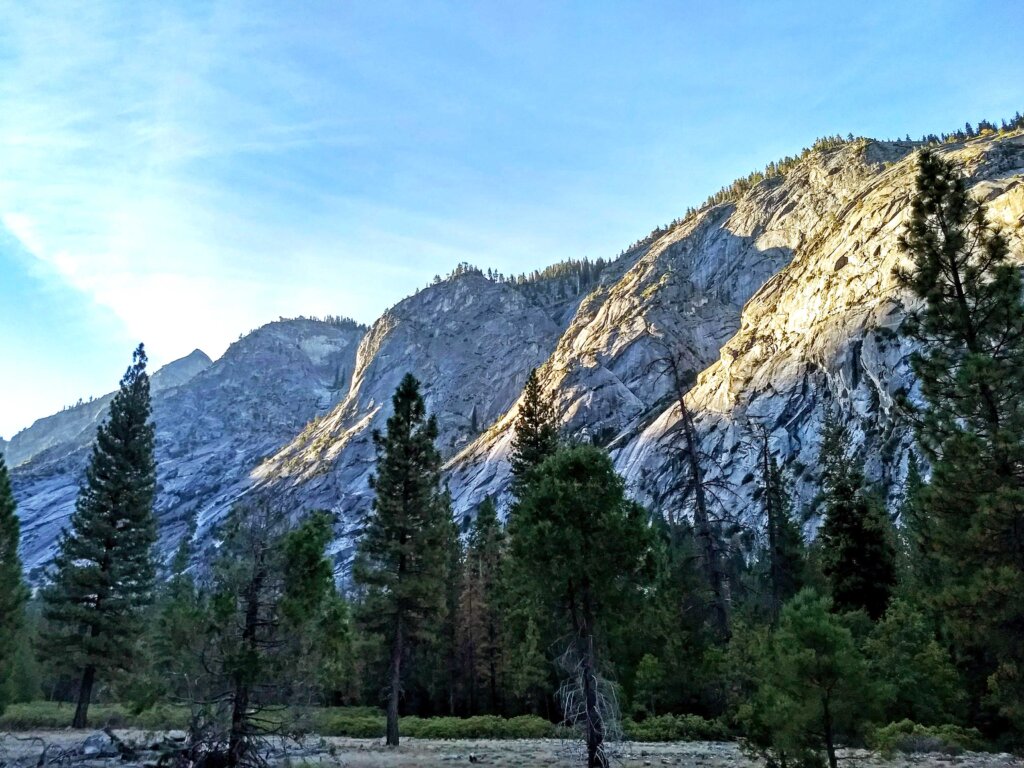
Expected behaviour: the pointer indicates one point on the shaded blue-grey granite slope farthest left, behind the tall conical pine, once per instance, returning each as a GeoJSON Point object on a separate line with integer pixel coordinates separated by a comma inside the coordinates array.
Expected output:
{"type": "Point", "coordinates": [212, 428]}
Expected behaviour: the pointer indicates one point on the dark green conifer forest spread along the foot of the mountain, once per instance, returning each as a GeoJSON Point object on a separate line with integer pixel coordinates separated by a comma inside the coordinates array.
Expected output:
{"type": "Point", "coordinates": [576, 610]}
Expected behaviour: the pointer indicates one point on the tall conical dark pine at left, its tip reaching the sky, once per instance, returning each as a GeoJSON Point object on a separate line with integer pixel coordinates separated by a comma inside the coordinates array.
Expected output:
{"type": "Point", "coordinates": [103, 576]}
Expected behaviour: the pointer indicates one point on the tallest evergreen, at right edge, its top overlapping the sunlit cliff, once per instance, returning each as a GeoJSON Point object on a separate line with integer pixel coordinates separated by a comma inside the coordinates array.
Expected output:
{"type": "Point", "coordinates": [971, 369]}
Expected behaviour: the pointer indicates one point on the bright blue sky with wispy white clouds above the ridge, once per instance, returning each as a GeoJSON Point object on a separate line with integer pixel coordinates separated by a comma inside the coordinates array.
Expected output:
{"type": "Point", "coordinates": [181, 174]}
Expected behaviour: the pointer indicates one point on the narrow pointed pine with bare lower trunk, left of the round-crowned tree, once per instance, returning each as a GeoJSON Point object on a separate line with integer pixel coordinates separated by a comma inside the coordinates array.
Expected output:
{"type": "Point", "coordinates": [402, 560]}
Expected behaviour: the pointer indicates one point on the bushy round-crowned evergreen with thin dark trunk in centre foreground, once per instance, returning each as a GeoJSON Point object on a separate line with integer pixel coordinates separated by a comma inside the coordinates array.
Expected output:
{"type": "Point", "coordinates": [584, 549]}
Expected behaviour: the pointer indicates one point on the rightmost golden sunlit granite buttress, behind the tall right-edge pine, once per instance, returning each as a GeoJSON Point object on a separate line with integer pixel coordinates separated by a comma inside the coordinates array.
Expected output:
{"type": "Point", "coordinates": [819, 339]}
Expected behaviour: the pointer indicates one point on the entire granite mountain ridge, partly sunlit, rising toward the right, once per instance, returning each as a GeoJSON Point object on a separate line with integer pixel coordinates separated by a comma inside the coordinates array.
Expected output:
{"type": "Point", "coordinates": [776, 300]}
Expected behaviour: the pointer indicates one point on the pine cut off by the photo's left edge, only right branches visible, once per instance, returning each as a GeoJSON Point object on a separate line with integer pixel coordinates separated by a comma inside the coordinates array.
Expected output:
{"type": "Point", "coordinates": [14, 593]}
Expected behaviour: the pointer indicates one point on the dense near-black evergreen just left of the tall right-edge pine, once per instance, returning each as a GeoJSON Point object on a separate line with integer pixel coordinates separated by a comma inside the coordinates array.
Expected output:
{"type": "Point", "coordinates": [859, 554]}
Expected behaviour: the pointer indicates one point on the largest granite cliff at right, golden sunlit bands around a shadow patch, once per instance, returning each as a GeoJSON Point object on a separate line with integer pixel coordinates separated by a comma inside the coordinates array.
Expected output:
{"type": "Point", "coordinates": [782, 303]}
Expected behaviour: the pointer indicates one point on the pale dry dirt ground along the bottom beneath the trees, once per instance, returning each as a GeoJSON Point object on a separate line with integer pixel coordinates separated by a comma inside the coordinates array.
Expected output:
{"type": "Point", "coordinates": [24, 750]}
